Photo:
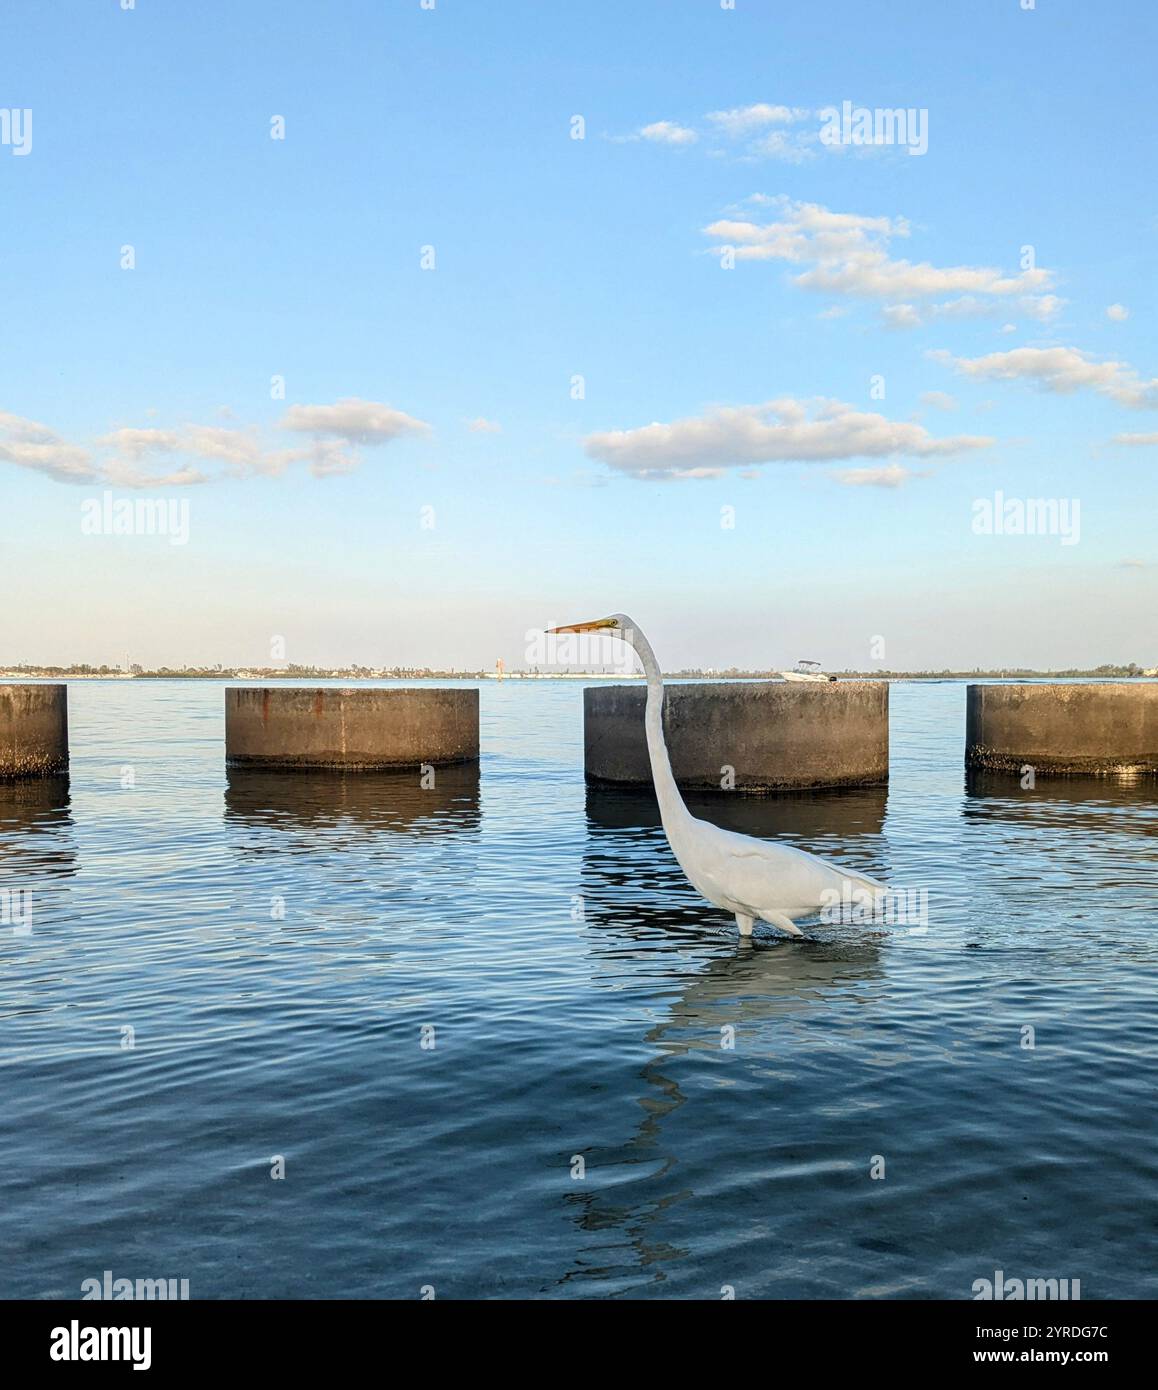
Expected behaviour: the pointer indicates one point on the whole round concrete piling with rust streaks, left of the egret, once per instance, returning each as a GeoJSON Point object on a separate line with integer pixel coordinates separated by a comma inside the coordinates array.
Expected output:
{"type": "Point", "coordinates": [352, 730]}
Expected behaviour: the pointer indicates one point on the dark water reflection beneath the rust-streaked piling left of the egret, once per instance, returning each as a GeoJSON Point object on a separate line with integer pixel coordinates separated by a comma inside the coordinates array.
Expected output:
{"type": "Point", "coordinates": [357, 803]}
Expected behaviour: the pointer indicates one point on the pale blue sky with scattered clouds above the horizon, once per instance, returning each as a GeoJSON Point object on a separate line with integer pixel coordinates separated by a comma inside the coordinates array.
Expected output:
{"type": "Point", "coordinates": [451, 390]}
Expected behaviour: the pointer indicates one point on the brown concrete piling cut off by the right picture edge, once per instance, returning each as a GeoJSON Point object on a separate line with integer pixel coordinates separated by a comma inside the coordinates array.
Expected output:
{"type": "Point", "coordinates": [1063, 730]}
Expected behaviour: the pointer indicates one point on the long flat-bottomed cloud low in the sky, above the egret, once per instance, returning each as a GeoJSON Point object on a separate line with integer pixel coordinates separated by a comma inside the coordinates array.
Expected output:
{"type": "Point", "coordinates": [779, 432]}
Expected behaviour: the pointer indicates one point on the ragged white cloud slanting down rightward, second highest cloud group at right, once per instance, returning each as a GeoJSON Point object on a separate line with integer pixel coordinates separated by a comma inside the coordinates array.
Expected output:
{"type": "Point", "coordinates": [847, 254]}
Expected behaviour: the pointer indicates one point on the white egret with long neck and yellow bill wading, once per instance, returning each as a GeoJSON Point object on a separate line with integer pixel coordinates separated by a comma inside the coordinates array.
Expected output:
{"type": "Point", "coordinates": [746, 876]}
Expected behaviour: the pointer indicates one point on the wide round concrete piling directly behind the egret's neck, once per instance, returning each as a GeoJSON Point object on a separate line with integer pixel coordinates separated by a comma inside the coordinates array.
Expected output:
{"type": "Point", "coordinates": [744, 736]}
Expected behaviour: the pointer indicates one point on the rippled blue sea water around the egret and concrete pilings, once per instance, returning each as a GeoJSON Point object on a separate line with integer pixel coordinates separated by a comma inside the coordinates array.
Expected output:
{"type": "Point", "coordinates": [280, 946]}
